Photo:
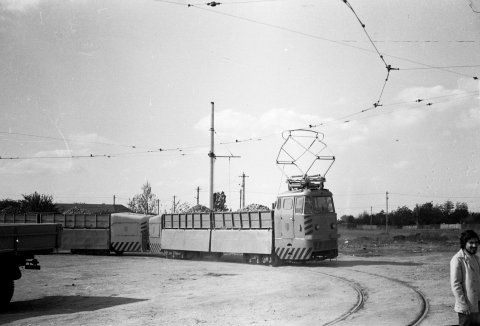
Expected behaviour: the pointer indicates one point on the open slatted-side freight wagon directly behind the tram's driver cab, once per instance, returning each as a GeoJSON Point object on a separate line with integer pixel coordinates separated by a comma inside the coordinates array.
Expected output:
{"type": "Point", "coordinates": [197, 234]}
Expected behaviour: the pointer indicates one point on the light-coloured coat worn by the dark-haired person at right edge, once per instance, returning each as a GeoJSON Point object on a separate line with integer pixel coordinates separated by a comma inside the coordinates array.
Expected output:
{"type": "Point", "coordinates": [465, 281]}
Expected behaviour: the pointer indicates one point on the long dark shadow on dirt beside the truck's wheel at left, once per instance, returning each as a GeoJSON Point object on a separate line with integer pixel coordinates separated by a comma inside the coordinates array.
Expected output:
{"type": "Point", "coordinates": [53, 305]}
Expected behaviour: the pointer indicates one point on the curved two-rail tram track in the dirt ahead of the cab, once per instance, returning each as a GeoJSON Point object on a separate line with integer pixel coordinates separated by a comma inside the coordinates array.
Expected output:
{"type": "Point", "coordinates": [376, 298]}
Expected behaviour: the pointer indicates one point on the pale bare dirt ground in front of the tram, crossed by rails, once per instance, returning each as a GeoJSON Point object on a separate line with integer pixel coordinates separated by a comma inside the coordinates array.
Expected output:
{"type": "Point", "coordinates": [151, 290]}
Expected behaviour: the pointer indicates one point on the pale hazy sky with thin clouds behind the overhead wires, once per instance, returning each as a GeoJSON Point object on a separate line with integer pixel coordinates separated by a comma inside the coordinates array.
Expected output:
{"type": "Point", "coordinates": [99, 97]}
